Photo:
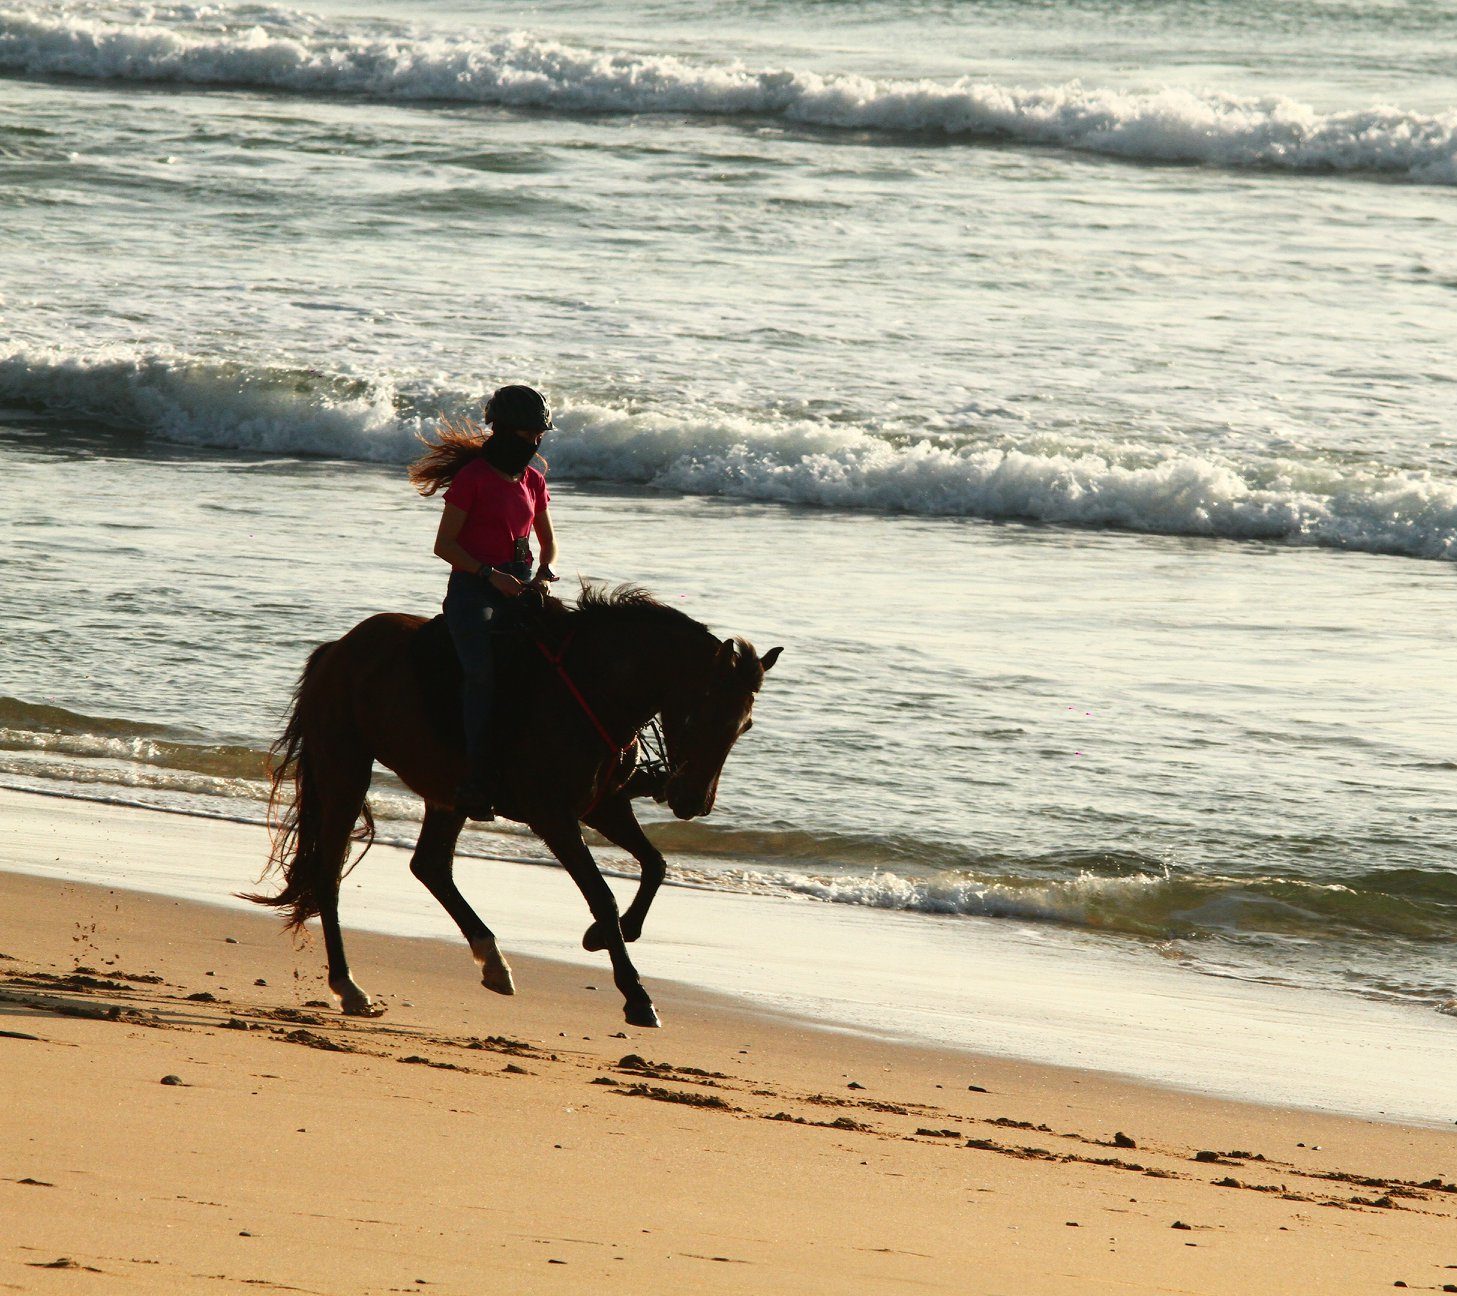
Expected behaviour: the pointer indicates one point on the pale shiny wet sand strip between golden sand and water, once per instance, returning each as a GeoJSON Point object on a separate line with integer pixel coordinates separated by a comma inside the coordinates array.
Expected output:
{"type": "Point", "coordinates": [987, 988]}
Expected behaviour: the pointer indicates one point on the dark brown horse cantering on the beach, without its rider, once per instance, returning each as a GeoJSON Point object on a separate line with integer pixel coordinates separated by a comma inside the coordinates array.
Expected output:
{"type": "Point", "coordinates": [576, 690]}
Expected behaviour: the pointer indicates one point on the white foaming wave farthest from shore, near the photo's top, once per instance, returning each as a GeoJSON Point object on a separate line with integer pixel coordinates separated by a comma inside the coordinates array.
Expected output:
{"type": "Point", "coordinates": [280, 50]}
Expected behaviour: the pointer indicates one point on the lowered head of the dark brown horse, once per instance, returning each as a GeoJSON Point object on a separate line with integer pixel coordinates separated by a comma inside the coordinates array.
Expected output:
{"type": "Point", "coordinates": [702, 727]}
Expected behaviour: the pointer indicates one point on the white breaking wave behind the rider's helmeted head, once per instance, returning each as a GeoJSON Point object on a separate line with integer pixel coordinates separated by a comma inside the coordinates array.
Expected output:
{"type": "Point", "coordinates": [1161, 491]}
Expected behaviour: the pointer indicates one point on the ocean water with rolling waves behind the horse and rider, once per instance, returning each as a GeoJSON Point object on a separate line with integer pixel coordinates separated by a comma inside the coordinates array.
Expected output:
{"type": "Point", "coordinates": [1069, 387]}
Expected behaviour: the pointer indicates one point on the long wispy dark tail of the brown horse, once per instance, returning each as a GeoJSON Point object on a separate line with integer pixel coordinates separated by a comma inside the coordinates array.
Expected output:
{"type": "Point", "coordinates": [296, 814]}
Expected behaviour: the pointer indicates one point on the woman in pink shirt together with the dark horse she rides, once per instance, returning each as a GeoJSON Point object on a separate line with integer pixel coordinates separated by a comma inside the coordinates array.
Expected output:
{"type": "Point", "coordinates": [566, 733]}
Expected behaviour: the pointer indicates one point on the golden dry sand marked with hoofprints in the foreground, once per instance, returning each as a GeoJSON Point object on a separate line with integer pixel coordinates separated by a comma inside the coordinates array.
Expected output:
{"type": "Point", "coordinates": [466, 1144]}
